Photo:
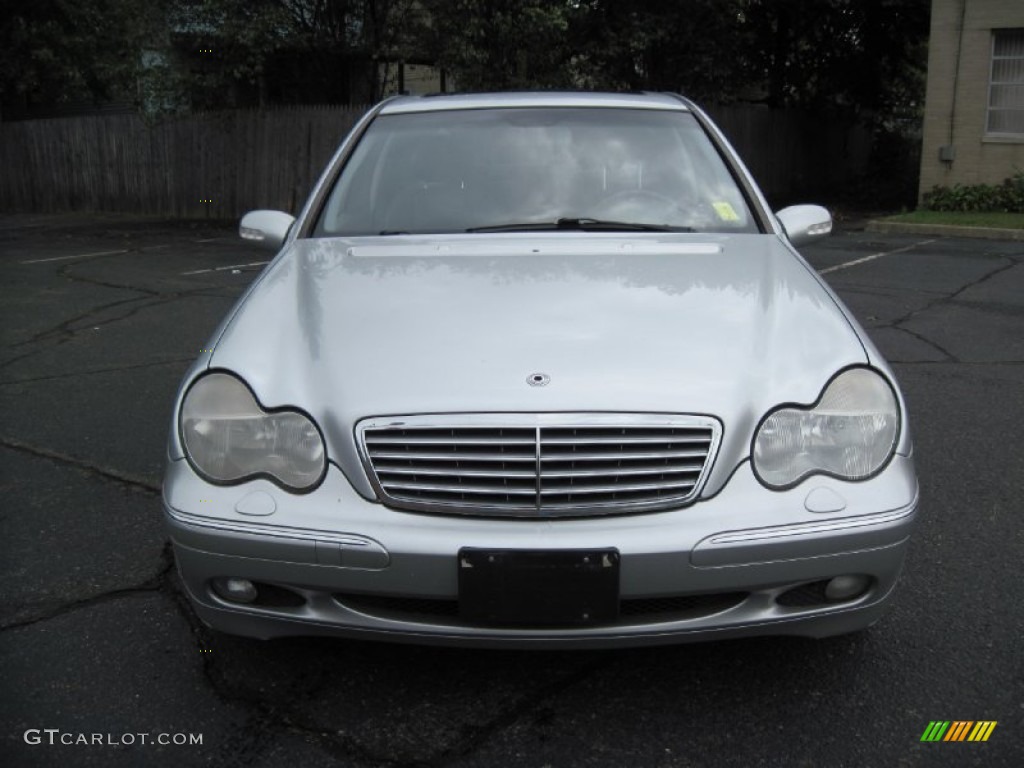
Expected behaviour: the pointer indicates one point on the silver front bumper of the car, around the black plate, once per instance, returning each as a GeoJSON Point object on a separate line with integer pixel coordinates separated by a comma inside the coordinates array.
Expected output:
{"type": "Point", "coordinates": [749, 562]}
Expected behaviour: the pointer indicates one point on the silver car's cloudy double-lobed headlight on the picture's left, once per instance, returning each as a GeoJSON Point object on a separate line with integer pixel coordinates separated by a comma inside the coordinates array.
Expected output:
{"type": "Point", "coordinates": [229, 438]}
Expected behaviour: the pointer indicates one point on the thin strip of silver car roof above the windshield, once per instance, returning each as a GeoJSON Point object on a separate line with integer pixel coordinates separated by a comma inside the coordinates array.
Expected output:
{"type": "Point", "coordinates": [445, 102]}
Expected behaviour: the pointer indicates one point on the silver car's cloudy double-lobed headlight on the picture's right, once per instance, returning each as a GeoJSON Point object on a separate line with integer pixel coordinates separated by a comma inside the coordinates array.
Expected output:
{"type": "Point", "coordinates": [850, 433]}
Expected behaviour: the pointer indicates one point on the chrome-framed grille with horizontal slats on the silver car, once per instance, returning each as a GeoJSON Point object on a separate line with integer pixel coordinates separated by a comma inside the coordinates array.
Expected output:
{"type": "Point", "coordinates": [538, 465]}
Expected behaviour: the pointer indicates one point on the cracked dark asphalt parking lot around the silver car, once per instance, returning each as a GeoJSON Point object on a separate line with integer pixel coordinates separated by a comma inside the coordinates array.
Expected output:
{"type": "Point", "coordinates": [103, 315]}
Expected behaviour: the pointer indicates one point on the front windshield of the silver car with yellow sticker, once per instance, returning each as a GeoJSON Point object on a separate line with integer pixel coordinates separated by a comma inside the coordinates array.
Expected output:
{"type": "Point", "coordinates": [535, 168]}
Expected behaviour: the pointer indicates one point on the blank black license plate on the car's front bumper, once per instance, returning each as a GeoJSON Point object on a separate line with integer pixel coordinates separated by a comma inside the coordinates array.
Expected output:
{"type": "Point", "coordinates": [539, 588]}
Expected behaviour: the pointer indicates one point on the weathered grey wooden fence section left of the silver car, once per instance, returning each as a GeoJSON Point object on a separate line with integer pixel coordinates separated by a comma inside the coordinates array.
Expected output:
{"type": "Point", "coordinates": [214, 165]}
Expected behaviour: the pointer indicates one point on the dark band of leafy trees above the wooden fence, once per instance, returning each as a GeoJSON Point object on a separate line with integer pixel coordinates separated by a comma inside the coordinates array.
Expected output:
{"type": "Point", "coordinates": [865, 59]}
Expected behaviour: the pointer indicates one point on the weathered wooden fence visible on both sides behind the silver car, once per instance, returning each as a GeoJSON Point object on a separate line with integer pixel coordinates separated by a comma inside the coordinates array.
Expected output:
{"type": "Point", "coordinates": [220, 165]}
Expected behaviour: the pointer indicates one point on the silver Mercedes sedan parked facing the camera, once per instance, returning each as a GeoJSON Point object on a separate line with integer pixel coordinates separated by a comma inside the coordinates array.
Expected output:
{"type": "Point", "coordinates": [539, 370]}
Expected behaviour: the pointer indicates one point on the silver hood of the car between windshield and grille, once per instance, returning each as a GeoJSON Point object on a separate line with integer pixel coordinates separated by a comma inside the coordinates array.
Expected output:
{"type": "Point", "coordinates": [727, 326]}
